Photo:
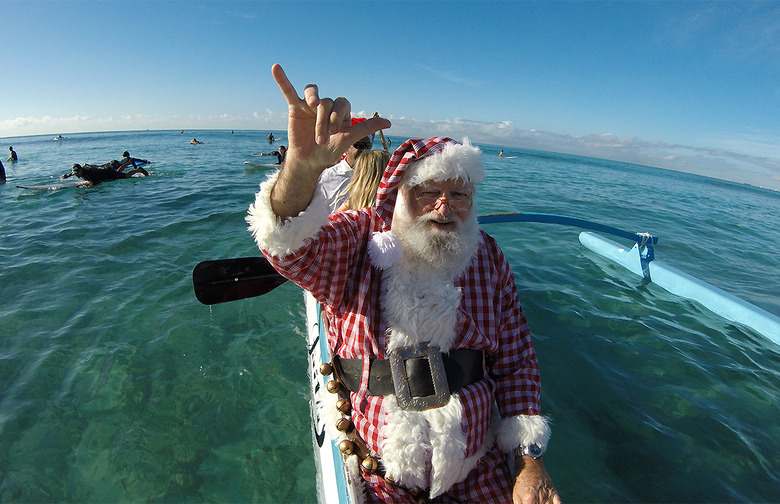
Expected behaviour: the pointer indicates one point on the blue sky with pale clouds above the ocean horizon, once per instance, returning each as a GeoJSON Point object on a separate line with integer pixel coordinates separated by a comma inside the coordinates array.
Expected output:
{"type": "Point", "coordinates": [691, 86]}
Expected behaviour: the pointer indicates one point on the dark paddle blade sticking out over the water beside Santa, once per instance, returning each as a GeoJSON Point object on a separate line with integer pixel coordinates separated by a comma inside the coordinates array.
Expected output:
{"type": "Point", "coordinates": [226, 280]}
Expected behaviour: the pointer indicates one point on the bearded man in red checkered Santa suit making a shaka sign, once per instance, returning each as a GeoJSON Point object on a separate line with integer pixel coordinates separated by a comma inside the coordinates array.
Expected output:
{"type": "Point", "coordinates": [433, 354]}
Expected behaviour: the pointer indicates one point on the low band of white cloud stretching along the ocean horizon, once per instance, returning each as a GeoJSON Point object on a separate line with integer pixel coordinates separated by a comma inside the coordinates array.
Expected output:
{"type": "Point", "coordinates": [725, 161]}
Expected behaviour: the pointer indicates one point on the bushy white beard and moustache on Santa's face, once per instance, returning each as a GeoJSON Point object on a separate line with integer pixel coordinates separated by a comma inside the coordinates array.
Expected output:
{"type": "Point", "coordinates": [439, 250]}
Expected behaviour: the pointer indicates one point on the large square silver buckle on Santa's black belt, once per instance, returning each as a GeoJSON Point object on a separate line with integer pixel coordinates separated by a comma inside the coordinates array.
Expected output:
{"type": "Point", "coordinates": [403, 391]}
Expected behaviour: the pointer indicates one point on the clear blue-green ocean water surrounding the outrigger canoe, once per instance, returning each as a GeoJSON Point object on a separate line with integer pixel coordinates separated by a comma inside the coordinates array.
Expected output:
{"type": "Point", "coordinates": [116, 385]}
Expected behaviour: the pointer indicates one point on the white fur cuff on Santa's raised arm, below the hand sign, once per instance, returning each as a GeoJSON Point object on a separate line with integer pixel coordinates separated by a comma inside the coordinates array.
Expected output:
{"type": "Point", "coordinates": [277, 237]}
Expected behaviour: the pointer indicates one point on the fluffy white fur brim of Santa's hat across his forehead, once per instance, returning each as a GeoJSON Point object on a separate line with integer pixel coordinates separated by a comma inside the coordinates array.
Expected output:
{"type": "Point", "coordinates": [454, 161]}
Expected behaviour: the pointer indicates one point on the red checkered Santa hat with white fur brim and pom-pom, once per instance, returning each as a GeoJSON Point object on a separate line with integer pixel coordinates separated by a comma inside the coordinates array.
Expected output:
{"type": "Point", "coordinates": [417, 161]}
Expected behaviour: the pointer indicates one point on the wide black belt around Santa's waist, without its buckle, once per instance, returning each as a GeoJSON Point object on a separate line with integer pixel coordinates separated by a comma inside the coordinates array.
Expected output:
{"type": "Point", "coordinates": [462, 367]}
